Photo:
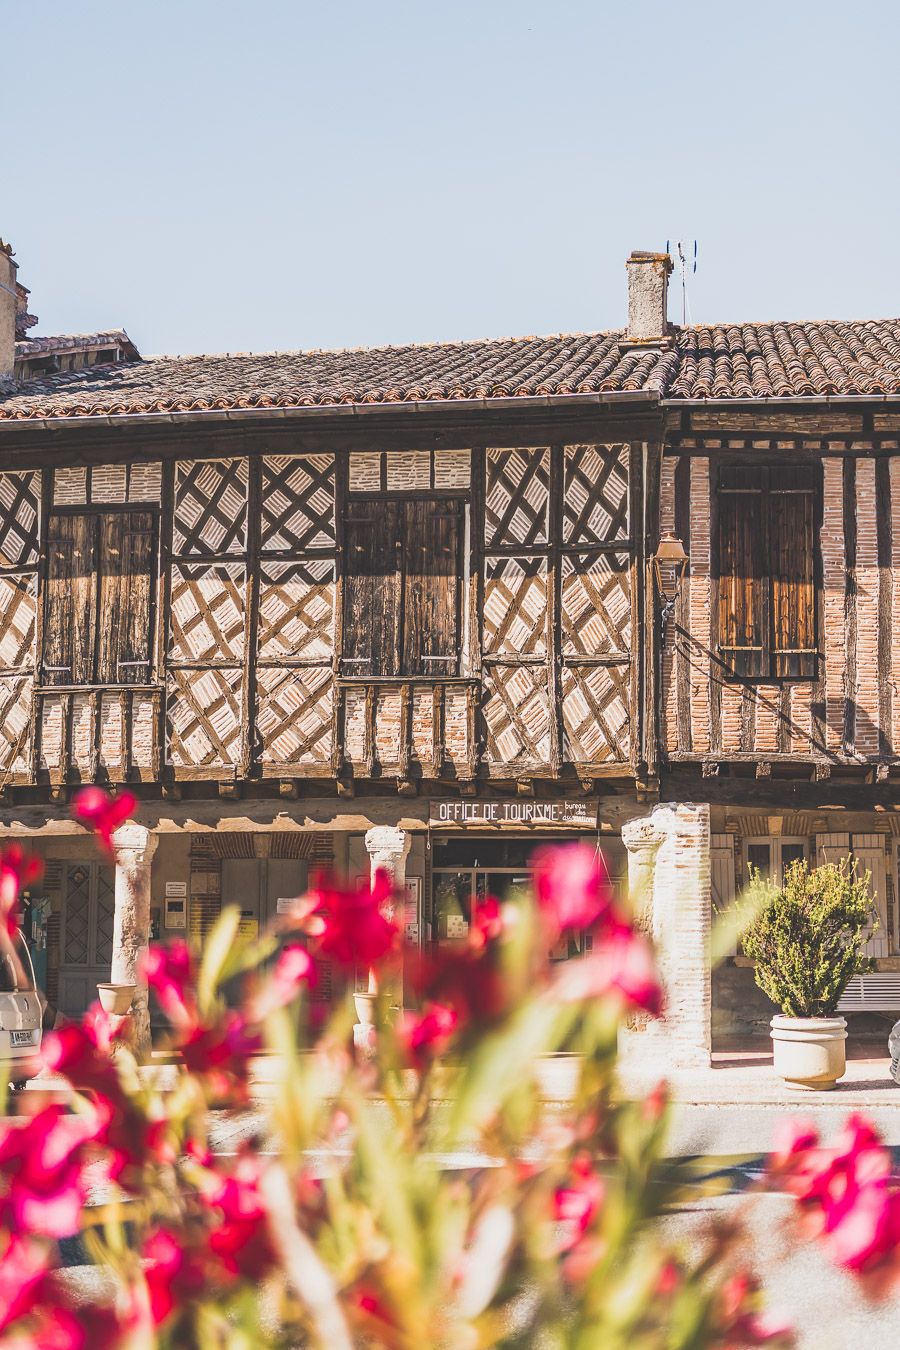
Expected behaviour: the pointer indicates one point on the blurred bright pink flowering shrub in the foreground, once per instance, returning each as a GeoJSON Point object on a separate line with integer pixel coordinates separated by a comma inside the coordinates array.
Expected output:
{"type": "Point", "coordinates": [420, 1191]}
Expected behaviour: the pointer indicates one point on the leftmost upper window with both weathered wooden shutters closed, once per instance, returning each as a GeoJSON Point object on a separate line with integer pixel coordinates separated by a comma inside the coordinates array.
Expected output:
{"type": "Point", "coordinates": [98, 607]}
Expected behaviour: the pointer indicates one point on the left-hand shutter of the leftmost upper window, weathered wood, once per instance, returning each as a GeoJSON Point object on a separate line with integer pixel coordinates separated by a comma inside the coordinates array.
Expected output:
{"type": "Point", "coordinates": [71, 603]}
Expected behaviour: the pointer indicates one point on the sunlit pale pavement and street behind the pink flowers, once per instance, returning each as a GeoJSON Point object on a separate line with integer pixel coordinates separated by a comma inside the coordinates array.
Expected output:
{"type": "Point", "coordinates": [723, 1120]}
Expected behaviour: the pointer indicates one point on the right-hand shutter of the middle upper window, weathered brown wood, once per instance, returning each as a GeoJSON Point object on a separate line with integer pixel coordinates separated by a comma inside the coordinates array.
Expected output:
{"type": "Point", "coordinates": [431, 588]}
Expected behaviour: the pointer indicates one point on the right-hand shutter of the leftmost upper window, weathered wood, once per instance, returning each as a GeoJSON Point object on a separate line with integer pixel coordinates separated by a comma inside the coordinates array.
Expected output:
{"type": "Point", "coordinates": [126, 569]}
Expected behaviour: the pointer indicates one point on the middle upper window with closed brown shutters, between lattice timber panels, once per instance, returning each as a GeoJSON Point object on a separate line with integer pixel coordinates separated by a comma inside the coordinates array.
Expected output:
{"type": "Point", "coordinates": [403, 588]}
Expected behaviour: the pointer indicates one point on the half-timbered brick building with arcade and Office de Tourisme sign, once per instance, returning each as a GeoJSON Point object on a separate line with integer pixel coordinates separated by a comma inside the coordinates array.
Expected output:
{"type": "Point", "coordinates": [410, 607]}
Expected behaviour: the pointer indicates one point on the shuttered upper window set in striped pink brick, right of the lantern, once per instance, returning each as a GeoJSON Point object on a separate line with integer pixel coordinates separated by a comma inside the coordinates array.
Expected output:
{"type": "Point", "coordinates": [767, 626]}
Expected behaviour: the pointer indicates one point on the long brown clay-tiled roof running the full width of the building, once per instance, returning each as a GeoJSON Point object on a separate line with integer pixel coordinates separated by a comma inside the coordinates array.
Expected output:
{"type": "Point", "coordinates": [728, 361]}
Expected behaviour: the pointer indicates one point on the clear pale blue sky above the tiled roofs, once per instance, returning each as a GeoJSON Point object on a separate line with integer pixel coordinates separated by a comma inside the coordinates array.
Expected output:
{"type": "Point", "coordinates": [222, 176]}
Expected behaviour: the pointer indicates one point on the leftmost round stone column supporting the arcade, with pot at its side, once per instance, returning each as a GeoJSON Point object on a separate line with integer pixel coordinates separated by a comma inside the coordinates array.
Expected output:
{"type": "Point", "coordinates": [136, 848]}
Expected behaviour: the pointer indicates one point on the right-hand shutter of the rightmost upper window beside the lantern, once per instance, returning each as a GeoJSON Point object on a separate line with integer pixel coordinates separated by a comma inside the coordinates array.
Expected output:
{"type": "Point", "coordinates": [791, 519]}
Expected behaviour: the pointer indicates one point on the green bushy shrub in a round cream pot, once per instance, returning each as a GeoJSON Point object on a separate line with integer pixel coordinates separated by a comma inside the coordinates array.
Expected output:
{"type": "Point", "coordinates": [808, 942]}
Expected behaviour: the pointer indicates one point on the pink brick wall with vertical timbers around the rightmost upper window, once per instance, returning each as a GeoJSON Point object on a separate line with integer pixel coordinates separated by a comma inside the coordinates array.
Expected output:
{"type": "Point", "coordinates": [852, 712]}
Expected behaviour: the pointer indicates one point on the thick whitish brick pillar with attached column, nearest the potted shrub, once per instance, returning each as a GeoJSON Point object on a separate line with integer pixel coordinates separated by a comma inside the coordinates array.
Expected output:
{"type": "Point", "coordinates": [674, 846]}
